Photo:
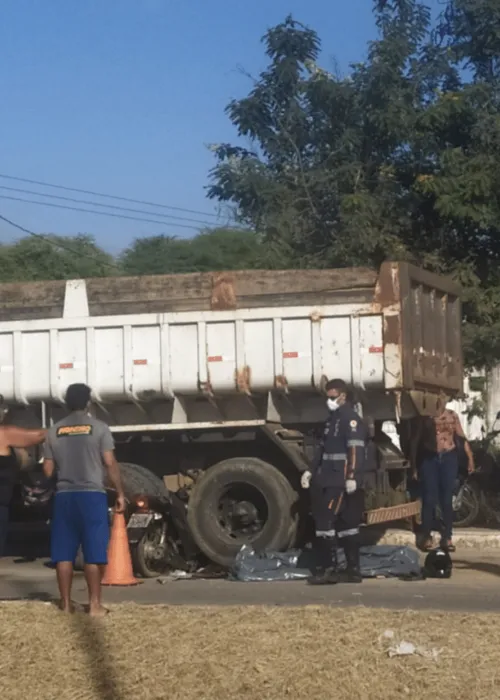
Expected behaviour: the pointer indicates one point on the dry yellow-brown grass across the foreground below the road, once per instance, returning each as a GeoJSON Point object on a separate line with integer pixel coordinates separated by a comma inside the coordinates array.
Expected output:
{"type": "Point", "coordinates": [146, 653]}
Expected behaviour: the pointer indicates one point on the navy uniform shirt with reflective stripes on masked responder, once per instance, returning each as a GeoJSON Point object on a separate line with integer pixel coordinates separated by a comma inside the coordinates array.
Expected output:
{"type": "Point", "coordinates": [342, 453]}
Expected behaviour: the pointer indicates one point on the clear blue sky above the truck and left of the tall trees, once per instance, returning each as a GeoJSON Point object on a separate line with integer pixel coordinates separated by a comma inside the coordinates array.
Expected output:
{"type": "Point", "coordinates": [122, 97]}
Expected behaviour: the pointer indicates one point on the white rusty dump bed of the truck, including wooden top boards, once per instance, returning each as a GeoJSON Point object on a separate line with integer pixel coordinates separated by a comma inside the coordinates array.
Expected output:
{"type": "Point", "coordinates": [176, 338]}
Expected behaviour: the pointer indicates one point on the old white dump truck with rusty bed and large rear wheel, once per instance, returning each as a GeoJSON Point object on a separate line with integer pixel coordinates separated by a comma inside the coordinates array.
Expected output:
{"type": "Point", "coordinates": [213, 383]}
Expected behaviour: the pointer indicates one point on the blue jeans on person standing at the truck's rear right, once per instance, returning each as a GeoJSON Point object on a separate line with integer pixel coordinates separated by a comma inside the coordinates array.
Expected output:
{"type": "Point", "coordinates": [438, 475]}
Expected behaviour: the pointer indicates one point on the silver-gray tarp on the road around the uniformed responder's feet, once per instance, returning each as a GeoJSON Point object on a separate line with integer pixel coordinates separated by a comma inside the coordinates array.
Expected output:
{"type": "Point", "coordinates": [377, 560]}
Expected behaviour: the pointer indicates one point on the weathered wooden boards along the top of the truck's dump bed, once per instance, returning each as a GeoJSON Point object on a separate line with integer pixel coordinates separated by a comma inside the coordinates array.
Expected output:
{"type": "Point", "coordinates": [206, 291]}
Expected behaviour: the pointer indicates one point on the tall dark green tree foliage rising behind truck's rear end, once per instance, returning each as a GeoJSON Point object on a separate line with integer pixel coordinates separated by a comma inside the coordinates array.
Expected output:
{"type": "Point", "coordinates": [398, 159]}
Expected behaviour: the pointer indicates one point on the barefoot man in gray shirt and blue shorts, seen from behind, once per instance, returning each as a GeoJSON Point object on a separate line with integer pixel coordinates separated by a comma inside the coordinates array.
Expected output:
{"type": "Point", "coordinates": [80, 450]}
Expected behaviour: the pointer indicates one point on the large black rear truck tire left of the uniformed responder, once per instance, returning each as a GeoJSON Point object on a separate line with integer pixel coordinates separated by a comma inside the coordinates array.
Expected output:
{"type": "Point", "coordinates": [242, 501]}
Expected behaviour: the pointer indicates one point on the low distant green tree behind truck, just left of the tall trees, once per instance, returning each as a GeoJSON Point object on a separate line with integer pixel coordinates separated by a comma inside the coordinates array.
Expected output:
{"type": "Point", "coordinates": [217, 249]}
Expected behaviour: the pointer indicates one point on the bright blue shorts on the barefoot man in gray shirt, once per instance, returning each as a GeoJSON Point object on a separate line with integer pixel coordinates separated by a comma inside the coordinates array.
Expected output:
{"type": "Point", "coordinates": [80, 518]}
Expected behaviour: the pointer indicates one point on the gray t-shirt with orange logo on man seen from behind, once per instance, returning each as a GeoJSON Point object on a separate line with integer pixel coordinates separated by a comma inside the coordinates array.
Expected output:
{"type": "Point", "coordinates": [76, 444]}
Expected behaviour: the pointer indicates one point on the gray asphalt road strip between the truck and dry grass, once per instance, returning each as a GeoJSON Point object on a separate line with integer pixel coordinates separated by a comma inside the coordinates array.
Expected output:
{"type": "Point", "coordinates": [474, 587]}
